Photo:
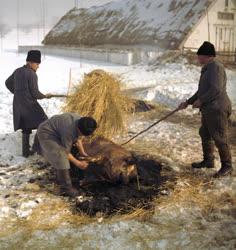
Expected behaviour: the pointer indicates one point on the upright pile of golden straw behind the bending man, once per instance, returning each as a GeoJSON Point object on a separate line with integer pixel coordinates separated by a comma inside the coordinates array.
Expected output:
{"type": "Point", "coordinates": [99, 96]}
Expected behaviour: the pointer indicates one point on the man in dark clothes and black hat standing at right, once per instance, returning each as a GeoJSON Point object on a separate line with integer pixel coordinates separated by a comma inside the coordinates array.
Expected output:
{"type": "Point", "coordinates": [215, 106]}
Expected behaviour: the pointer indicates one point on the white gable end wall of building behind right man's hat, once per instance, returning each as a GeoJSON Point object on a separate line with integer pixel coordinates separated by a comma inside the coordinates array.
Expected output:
{"type": "Point", "coordinates": [221, 32]}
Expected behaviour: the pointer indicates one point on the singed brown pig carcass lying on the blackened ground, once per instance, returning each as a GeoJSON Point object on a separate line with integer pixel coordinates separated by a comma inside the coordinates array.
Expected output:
{"type": "Point", "coordinates": [111, 163]}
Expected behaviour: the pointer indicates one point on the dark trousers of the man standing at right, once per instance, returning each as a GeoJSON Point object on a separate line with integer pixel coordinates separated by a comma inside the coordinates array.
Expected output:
{"type": "Point", "coordinates": [214, 131]}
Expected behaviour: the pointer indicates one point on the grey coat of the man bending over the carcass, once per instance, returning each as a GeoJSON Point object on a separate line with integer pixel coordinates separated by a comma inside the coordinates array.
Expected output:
{"type": "Point", "coordinates": [56, 137]}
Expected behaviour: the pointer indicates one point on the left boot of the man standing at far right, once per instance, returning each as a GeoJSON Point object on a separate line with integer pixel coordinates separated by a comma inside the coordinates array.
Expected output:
{"type": "Point", "coordinates": [208, 156]}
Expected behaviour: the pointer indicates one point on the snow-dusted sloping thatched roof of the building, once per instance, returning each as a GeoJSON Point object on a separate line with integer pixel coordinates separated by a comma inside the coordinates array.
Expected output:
{"type": "Point", "coordinates": [163, 23]}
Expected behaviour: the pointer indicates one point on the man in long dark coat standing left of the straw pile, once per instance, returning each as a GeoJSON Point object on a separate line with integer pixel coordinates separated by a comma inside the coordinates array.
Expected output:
{"type": "Point", "coordinates": [27, 113]}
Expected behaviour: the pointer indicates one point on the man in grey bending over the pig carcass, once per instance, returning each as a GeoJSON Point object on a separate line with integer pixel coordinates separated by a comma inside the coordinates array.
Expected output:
{"type": "Point", "coordinates": [56, 137]}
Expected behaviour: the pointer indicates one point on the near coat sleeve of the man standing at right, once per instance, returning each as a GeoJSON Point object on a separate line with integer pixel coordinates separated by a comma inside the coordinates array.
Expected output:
{"type": "Point", "coordinates": [216, 79]}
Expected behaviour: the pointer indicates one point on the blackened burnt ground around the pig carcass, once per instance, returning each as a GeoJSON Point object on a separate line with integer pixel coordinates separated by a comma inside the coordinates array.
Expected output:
{"type": "Point", "coordinates": [107, 198]}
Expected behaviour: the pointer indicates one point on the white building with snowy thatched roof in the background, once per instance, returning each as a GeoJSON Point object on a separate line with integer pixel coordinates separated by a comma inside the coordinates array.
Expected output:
{"type": "Point", "coordinates": [131, 31]}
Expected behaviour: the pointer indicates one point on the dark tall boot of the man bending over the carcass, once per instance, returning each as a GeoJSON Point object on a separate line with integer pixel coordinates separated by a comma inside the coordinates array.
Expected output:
{"type": "Point", "coordinates": [64, 181]}
